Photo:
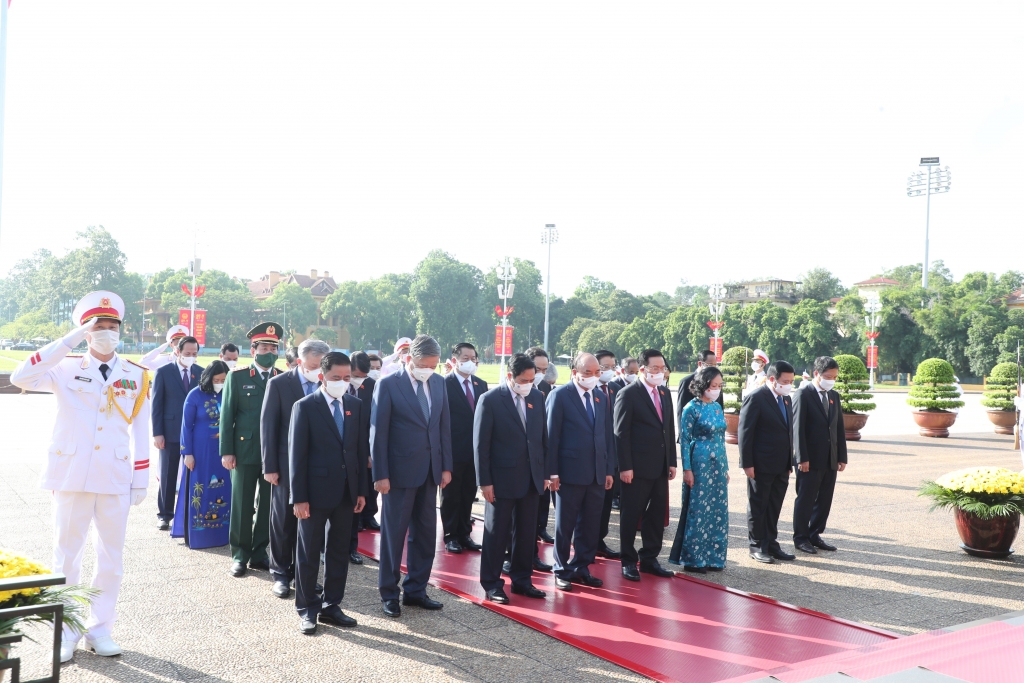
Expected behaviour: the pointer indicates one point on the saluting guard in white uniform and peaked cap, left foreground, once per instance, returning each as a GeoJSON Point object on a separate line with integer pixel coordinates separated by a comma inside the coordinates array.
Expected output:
{"type": "Point", "coordinates": [99, 459]}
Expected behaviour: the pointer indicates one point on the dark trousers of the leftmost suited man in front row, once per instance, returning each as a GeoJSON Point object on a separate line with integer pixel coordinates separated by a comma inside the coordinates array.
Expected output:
{"type": "Point", "coordinates": [334, 524]}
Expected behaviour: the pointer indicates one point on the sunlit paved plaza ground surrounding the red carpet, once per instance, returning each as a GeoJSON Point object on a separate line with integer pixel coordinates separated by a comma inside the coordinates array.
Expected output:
{"type": "Point", "coordinates": [183, 618]}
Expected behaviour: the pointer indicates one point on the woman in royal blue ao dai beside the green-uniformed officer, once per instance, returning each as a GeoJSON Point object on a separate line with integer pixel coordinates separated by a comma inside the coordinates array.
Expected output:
{"type": "Point", "coordinates": [204, 501]}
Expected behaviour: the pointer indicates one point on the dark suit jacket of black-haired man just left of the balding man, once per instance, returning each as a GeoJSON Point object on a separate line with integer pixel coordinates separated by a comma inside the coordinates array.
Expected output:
{"type": "Point", "coordinates": [507, 457]}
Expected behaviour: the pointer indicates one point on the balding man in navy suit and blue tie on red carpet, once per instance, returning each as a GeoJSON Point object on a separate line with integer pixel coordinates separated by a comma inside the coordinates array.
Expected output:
{"type": "Point", "coordinates": [579, 433]}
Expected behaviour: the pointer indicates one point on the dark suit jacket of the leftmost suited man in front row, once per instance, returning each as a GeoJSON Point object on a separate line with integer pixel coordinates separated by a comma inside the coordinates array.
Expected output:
{"type": "Point", "coordinates": [321, 461]}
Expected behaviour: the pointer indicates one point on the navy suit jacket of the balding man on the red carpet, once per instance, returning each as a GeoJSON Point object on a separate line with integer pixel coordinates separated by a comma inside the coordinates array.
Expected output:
{"type": "Point", "coordinates": [579, 448]}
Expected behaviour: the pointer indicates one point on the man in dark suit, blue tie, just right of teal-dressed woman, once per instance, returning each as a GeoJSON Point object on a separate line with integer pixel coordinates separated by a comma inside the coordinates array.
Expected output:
{"type": "Point", "coordinates": [766, 456]}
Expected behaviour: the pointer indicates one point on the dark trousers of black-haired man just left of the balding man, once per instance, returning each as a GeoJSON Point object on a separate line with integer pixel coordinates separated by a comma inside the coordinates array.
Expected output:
{"type": "Point", "coordinates": [504, 521]}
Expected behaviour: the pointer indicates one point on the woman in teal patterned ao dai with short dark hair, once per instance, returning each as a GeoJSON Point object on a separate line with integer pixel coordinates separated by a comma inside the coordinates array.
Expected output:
{"type": "Point", "coordinates": [706, 477]}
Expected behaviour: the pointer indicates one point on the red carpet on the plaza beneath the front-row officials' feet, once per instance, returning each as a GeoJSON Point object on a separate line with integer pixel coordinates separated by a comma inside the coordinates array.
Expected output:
{"type": "Point", "coordinates": [679, 629]}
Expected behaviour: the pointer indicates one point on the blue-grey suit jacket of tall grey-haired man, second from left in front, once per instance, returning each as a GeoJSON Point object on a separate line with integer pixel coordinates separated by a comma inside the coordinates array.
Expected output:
{"type": "Point", "coordinates": [403, 445]}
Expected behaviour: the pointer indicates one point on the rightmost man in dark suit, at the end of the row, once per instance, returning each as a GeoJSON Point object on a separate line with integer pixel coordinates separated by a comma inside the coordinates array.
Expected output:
{"type": "Point", "coordinates": [820, 452]}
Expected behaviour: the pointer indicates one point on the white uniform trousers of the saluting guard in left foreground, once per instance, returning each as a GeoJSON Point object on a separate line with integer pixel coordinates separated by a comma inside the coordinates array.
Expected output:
{"type": "Point", "coordinates": [73, 514]}
